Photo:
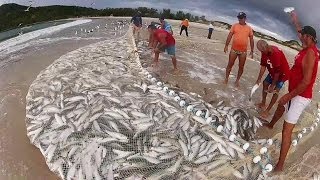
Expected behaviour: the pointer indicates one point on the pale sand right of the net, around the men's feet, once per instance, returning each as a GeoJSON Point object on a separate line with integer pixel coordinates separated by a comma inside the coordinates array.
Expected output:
{"type": "Point", "coordinates": [202, 64]}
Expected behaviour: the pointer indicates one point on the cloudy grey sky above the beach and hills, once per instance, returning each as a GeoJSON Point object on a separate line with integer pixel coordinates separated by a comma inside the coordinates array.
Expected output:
{"type": "Point", "coordinates": [265, 16]}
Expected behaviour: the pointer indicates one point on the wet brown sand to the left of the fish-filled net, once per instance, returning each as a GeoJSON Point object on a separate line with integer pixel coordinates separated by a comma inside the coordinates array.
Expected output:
{"type": "Point", "coordinates": [18, 158]}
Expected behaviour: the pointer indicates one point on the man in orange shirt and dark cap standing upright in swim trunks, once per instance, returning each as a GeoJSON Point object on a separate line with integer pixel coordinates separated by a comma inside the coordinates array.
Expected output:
{"type": "Point", "coordinates": [240, 32]}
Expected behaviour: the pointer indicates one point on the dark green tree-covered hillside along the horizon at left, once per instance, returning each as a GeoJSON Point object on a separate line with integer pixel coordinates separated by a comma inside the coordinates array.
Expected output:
{"type": "Point", "coordinates": [11, 15]}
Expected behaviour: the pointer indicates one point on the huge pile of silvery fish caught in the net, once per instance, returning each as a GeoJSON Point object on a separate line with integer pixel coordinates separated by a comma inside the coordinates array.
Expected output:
{"type": "Point", "coordinates": [94, 115]}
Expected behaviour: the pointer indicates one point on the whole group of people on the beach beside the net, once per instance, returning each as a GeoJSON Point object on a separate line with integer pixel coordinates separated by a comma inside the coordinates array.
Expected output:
{"type": "Point", "coordinates": [301, 76]}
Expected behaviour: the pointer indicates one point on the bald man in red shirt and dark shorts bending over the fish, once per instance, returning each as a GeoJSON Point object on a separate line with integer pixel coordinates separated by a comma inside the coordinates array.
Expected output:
{"type": "Point", "coordinates": [273, 59]}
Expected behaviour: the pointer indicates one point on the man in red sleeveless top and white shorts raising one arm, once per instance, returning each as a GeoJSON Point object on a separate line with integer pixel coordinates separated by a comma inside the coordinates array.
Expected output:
{"type": "Point", "coordinates": [301, 81]}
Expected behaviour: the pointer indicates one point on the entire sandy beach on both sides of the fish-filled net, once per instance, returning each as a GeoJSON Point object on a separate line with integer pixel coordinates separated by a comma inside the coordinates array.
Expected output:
{"type": "Point", "coordinates": [202, 65]}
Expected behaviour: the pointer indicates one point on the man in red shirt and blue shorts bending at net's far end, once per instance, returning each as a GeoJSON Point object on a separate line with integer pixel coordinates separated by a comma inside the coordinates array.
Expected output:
{"type": "Point", "coordinates": [163, 41]}
